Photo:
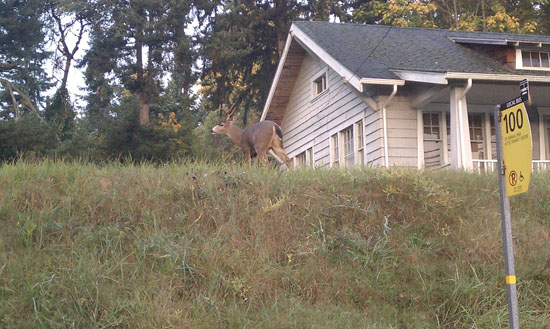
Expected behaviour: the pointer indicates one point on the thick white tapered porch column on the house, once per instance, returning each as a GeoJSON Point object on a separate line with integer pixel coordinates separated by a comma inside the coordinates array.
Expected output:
{"type": "Point", "coordinates": [461, 152]}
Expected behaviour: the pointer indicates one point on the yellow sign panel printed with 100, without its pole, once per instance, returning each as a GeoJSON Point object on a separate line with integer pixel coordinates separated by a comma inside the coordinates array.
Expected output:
{"type": "Point", "coordinates": [517, 147]}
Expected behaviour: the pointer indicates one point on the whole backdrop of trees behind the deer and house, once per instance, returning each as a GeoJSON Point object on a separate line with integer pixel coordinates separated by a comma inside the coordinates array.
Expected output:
{"type": "Point", "coordinates": [147, 52]}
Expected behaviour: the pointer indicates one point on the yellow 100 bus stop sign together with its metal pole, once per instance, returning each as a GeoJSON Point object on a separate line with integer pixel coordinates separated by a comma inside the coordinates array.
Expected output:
{"type": "Point", "coordinates": [514, 154]}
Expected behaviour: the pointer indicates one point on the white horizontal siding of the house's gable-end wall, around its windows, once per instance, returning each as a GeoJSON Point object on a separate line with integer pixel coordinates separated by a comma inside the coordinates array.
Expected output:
{"type": "Point", "coordinates": [311, 120]}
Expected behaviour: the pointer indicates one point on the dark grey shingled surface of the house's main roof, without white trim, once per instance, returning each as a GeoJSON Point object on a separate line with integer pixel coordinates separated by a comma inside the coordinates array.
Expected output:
{"type": "Point", "coordinates": [376, 51]}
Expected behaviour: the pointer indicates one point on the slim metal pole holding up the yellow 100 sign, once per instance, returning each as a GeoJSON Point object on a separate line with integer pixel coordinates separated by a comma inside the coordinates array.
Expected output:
{"type": "Point", "coordinates": [513, 310]}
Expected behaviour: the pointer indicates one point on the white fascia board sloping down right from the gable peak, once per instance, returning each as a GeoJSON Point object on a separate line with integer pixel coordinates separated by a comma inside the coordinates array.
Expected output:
{"type": "Point", "coordinates": [311, 46]}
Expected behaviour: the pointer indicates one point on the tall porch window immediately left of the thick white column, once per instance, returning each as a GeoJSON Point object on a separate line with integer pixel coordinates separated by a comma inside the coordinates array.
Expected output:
{"type": "Point", "coordinates": [433, 150]}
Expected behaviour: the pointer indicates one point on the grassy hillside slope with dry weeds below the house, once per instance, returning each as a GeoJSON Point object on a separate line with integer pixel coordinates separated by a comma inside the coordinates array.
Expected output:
{"type": "Point", "coordinates": [211, 246]}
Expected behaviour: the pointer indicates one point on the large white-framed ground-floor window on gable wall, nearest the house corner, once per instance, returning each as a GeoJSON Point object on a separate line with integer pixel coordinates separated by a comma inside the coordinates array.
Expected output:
{"type": "Point", "coordinates": [347, 147]}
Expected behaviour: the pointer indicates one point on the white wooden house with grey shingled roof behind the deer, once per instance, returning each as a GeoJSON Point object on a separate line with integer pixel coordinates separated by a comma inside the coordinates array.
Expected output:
{"type": "Point", "coordinates": [352, 95]}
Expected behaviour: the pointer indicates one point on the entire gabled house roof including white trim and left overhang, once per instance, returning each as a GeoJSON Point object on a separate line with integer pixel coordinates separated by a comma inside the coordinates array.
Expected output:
{"type": "Point", "coordinates": [383, 55]}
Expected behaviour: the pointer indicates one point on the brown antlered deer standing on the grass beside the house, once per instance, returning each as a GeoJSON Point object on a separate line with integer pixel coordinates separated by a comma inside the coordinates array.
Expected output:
{"type": "Point", "coordinates": [256, 140]}
